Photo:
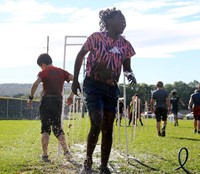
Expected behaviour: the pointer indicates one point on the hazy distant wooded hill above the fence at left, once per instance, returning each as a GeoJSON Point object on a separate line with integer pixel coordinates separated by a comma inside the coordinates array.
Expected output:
{"type": "Point", "coordinates": [12, 89]}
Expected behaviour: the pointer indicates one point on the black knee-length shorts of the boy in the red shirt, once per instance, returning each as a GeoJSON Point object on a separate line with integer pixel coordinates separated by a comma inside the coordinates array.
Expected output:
{"type": "Point", "coordinates": [50, 115]}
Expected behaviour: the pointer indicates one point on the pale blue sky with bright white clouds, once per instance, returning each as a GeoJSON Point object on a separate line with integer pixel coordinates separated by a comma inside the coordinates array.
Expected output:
{"type": "Point", "coordinates": [164, 33]}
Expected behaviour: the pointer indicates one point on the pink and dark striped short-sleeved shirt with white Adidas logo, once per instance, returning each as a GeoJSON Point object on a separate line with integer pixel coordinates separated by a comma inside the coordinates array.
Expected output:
{"type": "Point", "coordinates": [106, 56]}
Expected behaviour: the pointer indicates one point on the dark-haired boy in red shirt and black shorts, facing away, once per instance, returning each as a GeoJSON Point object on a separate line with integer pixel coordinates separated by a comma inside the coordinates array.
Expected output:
{"type": "Point", "coordinates": [53, 79]}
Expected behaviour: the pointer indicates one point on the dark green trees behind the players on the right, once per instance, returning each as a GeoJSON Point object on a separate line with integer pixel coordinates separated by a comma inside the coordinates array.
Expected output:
{"type": "Point", "coordinates": [144, 91]}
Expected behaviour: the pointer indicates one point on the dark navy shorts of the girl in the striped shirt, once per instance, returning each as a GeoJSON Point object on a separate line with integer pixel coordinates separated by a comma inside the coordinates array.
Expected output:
{"type": "Point", "coordinates": [100, 96]}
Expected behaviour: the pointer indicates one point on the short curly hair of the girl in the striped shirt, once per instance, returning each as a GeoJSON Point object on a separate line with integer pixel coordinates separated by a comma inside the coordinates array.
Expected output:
{"type": "Point", "coordinates": [105, 15]}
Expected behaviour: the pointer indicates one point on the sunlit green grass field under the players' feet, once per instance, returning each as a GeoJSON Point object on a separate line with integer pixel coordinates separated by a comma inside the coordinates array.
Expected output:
{"type": "Point", "coordinates": [20, 147]}
